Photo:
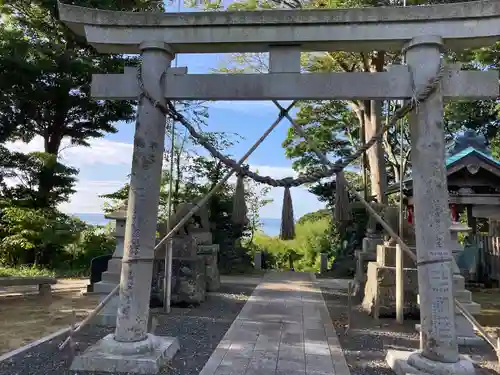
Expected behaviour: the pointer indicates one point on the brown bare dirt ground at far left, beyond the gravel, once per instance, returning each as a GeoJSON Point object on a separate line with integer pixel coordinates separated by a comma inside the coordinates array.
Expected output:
{"type": "Point", "coordinates": [26, 318]}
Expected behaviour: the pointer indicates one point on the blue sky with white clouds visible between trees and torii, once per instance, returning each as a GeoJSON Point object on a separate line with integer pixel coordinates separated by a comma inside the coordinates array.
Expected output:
{"type": "Point", "coordinates": [105, 165]}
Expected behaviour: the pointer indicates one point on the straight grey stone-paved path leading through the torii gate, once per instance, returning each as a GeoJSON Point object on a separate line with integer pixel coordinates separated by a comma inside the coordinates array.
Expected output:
{"type": "Point", "coordinates": [283, 329]}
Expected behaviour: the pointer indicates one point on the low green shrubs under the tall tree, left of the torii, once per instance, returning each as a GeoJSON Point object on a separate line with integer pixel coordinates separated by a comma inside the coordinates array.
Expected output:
{"type": "Point", "coordinates": [39, 241]}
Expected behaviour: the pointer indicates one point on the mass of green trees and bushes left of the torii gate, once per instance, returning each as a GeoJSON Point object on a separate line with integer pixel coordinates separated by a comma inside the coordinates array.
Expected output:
{"type": "Point", "coordinates": [45, 72]}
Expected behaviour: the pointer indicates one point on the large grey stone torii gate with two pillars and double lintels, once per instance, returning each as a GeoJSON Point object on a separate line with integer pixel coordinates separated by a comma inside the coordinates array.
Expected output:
{"type": "Point", "coordinates": [421, 32]}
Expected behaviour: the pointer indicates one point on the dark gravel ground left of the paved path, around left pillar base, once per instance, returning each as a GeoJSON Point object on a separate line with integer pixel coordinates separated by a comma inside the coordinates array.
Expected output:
{"type": "Point", "coordinates": [199, 330]}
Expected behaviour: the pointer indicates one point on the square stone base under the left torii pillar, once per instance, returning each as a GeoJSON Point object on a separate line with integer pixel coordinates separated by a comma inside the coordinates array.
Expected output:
{"type": "Point", "coordinates": [143, 357]}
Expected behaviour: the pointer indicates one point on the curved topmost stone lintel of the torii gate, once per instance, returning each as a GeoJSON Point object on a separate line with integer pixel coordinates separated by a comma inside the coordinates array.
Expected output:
{"type": "Point", "coordinates": [461, 25]}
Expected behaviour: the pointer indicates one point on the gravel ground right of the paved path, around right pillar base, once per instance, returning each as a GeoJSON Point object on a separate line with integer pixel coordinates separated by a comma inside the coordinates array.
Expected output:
{"type": "Point", "coordinates": [365, 344]}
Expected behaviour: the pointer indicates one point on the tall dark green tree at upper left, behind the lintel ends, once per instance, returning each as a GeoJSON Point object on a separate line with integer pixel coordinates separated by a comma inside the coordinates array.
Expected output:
{"type": "Point", "coordinates": [45, 72]}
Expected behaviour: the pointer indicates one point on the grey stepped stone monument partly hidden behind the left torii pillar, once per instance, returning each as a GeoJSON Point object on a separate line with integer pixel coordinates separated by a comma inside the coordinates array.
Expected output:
{"type": "Point", "coordinates": [111, 277]}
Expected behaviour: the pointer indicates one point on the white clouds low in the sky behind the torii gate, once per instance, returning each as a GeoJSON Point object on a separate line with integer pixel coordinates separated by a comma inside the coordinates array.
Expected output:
{"type": "Point", "coordinates": [113, 159]}
